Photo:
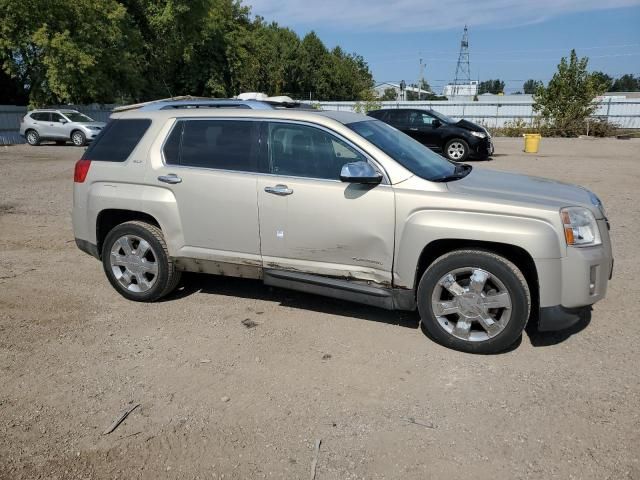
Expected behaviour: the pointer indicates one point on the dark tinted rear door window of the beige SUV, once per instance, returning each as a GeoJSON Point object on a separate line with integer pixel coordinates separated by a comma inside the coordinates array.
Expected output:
{"type": "Point", "coordinates": [220, 144]}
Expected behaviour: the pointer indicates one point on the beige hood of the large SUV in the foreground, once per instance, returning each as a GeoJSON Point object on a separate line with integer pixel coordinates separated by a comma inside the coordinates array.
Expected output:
{"type": "Point", "coordinates": [525, 189]}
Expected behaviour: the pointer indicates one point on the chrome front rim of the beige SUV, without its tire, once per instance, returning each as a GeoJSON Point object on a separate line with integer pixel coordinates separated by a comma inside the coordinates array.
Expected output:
{"type": "Point", "coordinates": [471, 304]}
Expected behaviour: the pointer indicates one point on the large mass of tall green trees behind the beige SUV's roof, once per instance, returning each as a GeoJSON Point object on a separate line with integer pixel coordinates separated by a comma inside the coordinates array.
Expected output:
{"type": "Point", "coordinates": [136, 50]}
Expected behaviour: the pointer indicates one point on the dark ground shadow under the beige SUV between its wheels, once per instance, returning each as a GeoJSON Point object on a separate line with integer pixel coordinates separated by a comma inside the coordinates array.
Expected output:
{"type": "Point", "coordinates": [256, 290]}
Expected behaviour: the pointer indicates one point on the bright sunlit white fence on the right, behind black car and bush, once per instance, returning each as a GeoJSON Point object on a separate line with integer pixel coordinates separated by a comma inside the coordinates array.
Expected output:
{"type": "Point", "coordinates": [624, 113]}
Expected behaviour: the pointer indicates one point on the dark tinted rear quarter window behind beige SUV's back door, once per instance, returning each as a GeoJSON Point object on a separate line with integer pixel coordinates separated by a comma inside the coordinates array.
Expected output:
{"type": "Point", "coordinates": [117, 140]}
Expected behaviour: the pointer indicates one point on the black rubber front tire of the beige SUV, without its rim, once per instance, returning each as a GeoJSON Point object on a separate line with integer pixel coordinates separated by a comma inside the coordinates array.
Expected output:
{"type": "Point", "coordinates": [504, 270]}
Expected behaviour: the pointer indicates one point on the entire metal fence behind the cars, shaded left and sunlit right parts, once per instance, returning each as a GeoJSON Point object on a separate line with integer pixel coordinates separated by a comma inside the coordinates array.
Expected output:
{"type": "Point", "coordinates": [624, 113]}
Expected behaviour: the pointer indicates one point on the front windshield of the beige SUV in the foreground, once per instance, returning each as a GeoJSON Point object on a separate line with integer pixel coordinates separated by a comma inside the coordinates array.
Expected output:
{"type": "Point", "coordinates": [405, 150]}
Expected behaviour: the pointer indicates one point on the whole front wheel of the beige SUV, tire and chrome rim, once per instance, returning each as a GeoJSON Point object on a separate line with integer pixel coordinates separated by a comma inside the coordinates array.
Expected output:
{"type": "Point", "coordinates": [474, 301]}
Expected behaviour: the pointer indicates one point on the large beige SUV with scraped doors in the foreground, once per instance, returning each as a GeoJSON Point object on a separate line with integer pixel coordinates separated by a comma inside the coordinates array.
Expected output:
{"type": "Point", "coordinates": [341, 205]}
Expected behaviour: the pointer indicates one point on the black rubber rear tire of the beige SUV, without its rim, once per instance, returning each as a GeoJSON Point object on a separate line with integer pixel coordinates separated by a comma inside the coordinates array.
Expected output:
{"type": "Point", "coordinates": [167, 274]}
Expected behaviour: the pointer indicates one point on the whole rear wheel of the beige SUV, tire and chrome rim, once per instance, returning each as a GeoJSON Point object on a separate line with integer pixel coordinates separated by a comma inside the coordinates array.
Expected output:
{"type": "Point", "coordinates": [137, 263]}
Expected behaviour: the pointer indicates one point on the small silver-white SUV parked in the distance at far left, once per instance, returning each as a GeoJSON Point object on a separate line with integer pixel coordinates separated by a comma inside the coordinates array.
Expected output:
{"type": "Point", "coordinates": [60, 126]}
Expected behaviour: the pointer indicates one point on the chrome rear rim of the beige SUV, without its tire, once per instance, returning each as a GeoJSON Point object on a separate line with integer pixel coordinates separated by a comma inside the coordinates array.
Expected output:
{"type": "Point", "coordinates": [134, 263]}
